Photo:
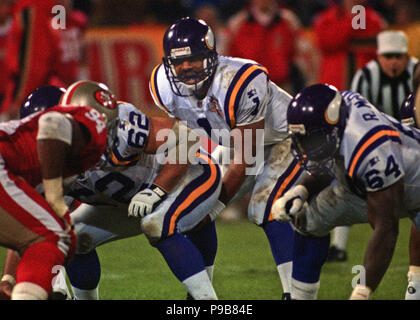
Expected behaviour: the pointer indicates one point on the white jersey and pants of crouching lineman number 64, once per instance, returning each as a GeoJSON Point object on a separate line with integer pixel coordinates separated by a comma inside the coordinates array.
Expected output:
{"type": "Point", "coordinates": [376, 152]}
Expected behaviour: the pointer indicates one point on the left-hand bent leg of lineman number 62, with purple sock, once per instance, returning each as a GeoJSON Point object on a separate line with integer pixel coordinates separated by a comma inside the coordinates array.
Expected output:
{"type": "Point", "coordinates": [94, 226]}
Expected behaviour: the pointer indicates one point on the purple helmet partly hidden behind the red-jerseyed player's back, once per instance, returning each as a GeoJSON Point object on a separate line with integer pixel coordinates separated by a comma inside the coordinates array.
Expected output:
{"type": "Point", "coordinates": [40, 99]}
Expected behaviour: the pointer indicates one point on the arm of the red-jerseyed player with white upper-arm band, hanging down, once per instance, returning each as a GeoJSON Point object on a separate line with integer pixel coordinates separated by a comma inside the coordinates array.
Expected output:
{"type": "Point", "coordinates": [58, 137]}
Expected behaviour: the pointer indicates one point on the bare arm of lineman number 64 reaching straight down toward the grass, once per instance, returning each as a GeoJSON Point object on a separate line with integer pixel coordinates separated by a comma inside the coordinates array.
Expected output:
{"type": "Point", "coordinates": [382, 210]}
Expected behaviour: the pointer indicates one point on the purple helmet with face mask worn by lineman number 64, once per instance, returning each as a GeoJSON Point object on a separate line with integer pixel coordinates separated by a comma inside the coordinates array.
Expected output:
{"type": "Point", "coordinates": [316, 119]}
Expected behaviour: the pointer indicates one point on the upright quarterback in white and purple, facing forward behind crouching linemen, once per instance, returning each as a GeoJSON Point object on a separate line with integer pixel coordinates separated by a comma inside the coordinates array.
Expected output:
{"type": "Point", "coordinates": [231, 98]}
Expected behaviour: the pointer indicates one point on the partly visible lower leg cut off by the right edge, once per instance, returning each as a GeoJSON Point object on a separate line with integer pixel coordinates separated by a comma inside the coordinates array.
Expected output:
{"type": "Point", "coordinates": [413, 288]}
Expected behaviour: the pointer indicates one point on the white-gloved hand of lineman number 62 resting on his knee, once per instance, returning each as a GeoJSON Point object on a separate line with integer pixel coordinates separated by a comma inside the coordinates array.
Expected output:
{"type": "Point", "coordinates": [145, 201]}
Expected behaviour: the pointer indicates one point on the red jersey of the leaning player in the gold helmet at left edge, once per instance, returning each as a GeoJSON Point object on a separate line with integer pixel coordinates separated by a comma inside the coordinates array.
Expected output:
{"type": "Point", "coordinates": [18, 143]}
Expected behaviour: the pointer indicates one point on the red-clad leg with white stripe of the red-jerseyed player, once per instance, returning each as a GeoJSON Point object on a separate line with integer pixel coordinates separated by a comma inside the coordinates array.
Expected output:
{"type": "Point", "coordinates": [42, 239]}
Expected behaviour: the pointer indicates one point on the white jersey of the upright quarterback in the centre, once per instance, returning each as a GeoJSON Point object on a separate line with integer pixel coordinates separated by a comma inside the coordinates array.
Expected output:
{"type": "Point", "coordinates": [241, 93]}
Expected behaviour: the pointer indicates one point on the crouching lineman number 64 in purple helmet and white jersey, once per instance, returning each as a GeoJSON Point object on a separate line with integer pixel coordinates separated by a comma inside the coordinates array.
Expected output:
{"type": "Point", "coordinates": [363, 167]}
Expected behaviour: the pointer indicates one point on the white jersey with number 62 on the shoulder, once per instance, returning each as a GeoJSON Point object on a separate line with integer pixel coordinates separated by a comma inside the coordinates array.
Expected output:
{"type": "Point", "coordinates": [124, 168]}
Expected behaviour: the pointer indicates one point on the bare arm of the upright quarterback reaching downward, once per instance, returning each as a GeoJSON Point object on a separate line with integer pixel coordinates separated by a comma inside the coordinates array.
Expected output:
{"type": "Point", "coordinates": [236, 174]}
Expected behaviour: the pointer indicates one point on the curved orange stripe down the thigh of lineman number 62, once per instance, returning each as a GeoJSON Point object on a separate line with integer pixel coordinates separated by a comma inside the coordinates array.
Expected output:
{"type": "Point", "coordinates": [196, 193]}
